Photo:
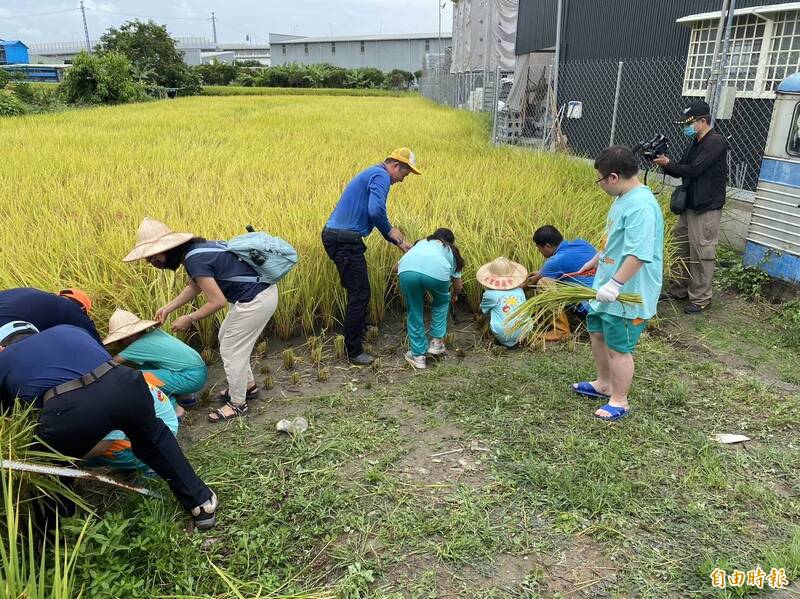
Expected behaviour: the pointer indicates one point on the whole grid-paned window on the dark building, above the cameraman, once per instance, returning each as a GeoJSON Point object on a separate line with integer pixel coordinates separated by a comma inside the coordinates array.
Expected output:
{"type": "Point", "coordinates": [764, 49]}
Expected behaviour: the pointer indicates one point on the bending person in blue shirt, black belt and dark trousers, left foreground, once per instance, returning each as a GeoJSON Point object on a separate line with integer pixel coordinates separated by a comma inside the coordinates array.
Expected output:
{"type": "Point", "coordinates": [83, 395]}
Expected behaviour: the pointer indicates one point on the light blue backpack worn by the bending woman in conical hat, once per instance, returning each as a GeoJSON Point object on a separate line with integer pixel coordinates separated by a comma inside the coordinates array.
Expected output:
{"type": "Point", "coordinates": [271, 257]}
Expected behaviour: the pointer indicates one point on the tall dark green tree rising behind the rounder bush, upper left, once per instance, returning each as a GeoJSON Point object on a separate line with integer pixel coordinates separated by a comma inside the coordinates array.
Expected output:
{"type": "Point", "coordinates": [149, 47]}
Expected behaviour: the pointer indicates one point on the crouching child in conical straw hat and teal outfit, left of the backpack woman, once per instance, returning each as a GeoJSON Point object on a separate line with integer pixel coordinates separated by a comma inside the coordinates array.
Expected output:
{"type": "Point", "coordinates": [173, 366]}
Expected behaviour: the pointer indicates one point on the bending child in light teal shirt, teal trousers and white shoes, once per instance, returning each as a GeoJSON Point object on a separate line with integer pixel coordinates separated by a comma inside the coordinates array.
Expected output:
{"type": "Point", "coordinates": [429, 266]}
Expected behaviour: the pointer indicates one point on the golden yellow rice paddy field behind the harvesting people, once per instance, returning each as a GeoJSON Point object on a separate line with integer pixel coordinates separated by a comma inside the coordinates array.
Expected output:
{"type": "Point", "coordinates": [79, 183]}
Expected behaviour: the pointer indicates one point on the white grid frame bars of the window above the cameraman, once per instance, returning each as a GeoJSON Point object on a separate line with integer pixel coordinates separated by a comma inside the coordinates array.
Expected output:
{"type": "Point", "coordinates": [770, 61]}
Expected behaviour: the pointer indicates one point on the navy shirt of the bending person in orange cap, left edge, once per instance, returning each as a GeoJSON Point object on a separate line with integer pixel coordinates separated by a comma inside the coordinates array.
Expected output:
{"type": "Point", "coordinates": [43, 310]}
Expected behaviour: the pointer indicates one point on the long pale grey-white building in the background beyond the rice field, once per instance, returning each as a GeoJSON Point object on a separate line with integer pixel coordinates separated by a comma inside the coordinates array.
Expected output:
{"type": "Point", "coordinates": [385, 52]}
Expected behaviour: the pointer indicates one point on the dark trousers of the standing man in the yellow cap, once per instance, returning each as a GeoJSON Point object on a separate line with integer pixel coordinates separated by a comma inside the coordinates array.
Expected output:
{"type": "Point", "coordinates": [347, 251]}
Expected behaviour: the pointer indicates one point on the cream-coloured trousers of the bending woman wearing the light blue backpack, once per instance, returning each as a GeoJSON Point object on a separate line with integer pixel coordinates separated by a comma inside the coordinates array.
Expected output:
{"type": "Point", "coordinates": [237, 338]}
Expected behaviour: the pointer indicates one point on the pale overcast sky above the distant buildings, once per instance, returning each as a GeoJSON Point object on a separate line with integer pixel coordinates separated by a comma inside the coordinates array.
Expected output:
{"type": "Point", "coordinates": [24, 19]}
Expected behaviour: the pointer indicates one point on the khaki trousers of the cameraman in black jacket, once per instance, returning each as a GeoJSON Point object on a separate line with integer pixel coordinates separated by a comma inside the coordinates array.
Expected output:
{"type": "Point", "coordinates": [696, 238]}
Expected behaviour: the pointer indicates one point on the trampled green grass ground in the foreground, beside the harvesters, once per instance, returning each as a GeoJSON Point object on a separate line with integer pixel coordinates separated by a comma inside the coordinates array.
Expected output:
{"type": "Point", "coordinates": [647, 507]}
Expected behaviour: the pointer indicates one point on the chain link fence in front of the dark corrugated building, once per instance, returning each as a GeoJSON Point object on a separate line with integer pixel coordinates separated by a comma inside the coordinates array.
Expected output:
{"type": "Point", "coordinates": [601, 103]}
